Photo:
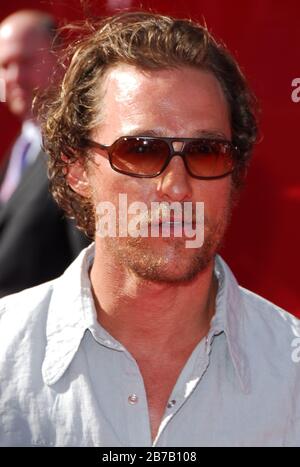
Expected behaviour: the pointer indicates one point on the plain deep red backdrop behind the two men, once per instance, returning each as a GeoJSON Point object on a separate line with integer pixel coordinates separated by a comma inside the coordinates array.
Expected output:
{"type": "Point", "coordinates": [262, 242]}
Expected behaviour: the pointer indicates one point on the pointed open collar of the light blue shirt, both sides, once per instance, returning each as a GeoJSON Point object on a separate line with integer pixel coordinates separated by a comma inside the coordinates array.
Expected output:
{"type": "Point", "coordinates": [72, 312]}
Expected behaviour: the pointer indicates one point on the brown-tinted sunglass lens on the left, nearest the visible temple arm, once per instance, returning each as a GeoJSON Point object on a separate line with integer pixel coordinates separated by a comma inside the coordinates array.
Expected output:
{"type": "Point", "coordinates": [139, 156]}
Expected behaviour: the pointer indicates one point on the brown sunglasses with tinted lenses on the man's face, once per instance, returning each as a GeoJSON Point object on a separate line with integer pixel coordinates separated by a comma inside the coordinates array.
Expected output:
{"type": "Point", "coordinates": [148, 156]}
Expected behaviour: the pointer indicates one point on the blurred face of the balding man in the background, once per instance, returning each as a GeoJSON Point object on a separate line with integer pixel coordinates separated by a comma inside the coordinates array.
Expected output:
{"type": "Point", "coordinates": [25, 66]}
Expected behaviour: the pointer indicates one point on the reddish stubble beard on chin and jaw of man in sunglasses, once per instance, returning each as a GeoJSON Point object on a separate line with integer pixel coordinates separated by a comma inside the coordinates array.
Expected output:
{"type": "Point", "coordinates": [167, 260]}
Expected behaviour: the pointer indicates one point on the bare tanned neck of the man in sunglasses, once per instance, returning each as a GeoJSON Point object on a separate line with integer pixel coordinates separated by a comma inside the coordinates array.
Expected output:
{"type": "Point", "coordinates": [142, 314]}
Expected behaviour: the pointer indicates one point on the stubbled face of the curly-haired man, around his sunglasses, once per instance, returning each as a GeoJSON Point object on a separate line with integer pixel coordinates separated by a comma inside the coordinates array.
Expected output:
{"type": "Point", "coordinates": [178, 102]}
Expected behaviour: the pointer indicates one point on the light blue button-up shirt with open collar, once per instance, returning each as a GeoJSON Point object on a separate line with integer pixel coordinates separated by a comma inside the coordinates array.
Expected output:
{"type": "Point", "coordinates": [64, 381]}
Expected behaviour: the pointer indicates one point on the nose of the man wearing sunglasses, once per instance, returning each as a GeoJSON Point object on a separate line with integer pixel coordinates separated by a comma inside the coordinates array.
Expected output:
{"type": "Point", "coordinates": [175, 183]}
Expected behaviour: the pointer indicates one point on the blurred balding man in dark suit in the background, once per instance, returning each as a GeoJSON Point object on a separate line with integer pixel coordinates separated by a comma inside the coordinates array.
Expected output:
{"type": "Point", "coordinates": [36, 242]}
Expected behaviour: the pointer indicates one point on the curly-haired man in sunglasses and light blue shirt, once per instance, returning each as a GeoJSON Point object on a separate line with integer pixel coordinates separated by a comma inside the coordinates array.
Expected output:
{"type": "Point", "coordinates": [144, 341]}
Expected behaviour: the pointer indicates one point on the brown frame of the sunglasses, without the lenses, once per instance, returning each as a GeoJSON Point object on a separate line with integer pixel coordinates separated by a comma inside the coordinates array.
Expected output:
{"type": "Point", "coordinates": [172, 153]}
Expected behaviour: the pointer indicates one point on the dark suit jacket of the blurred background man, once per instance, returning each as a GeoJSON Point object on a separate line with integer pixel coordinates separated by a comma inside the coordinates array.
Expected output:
{"type": "Point", "coordinates": [37, 242]}
